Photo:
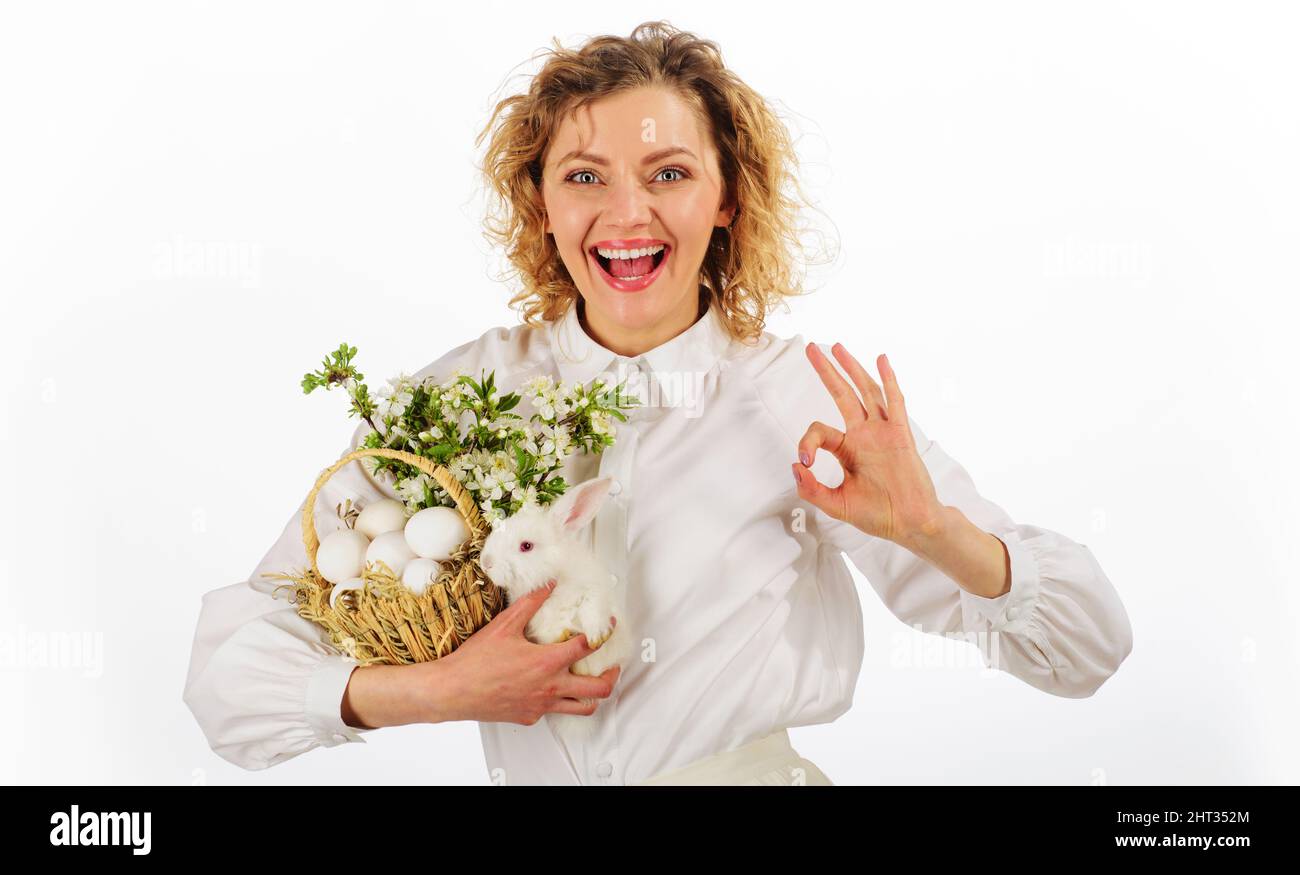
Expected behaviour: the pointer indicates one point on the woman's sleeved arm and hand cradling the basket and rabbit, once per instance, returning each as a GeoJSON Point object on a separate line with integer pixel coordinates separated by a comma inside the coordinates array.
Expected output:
{"type": "Point", "coordinates": [266, 686]}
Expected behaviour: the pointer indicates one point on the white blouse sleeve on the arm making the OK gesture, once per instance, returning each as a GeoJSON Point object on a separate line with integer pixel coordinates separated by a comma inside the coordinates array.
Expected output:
{"type": "Point", "coordinates": [1061, 629]}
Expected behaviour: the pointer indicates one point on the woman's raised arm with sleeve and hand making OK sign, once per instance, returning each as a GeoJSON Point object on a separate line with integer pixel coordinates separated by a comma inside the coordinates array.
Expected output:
{"type": "Point", "coordinates": [943, 557]}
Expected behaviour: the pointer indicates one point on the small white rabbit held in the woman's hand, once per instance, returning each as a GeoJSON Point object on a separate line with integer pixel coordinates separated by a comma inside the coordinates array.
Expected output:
{"type": "Point", "coordinates": [539, 544]}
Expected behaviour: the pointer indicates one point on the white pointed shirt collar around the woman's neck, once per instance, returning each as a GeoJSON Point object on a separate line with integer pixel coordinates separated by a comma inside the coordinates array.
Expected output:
{"type": "Point", "coordinates": [695, 352]}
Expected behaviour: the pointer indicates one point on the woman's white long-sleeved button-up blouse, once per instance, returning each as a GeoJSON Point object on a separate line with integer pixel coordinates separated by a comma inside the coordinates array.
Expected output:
{"type": "Point", "coordinates": [746, 613]}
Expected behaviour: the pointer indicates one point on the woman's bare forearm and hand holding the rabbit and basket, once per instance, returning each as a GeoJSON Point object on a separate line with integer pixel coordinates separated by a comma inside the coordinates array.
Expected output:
{"type": "Point", "coordinates": [497, 675]}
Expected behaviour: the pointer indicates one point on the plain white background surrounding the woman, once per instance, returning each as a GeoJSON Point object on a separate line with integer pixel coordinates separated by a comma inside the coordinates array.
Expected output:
{"type": "Point", "coordinates": [1072, 228]}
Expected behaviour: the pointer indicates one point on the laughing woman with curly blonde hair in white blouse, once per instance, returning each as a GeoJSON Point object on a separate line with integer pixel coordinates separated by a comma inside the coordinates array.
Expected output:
{"type": "Point", "coordinates": [642, 193]}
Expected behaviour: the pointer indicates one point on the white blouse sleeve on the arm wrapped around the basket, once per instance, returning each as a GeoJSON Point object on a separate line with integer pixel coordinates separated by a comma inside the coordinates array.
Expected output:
{"type": "Point", "coordinates": [265, 685]}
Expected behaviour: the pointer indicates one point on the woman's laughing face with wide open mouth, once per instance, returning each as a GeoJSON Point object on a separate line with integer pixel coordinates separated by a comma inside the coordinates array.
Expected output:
{"type": "Point", "coordinates": [634, 171]}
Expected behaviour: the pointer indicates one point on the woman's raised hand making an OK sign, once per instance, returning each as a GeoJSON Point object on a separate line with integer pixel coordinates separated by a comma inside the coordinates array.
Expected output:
{"type": "Point", "coordinates": [887, 491]}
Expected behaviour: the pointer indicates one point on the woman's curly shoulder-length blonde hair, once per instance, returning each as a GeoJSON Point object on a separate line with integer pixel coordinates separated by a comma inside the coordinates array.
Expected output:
{"type": "Point", "coordinates": [748, 268]}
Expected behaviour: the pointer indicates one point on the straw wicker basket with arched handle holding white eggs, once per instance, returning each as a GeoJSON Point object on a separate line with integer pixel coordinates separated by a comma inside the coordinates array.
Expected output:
{"type": "Point", "coordinates": [385, 623]}
